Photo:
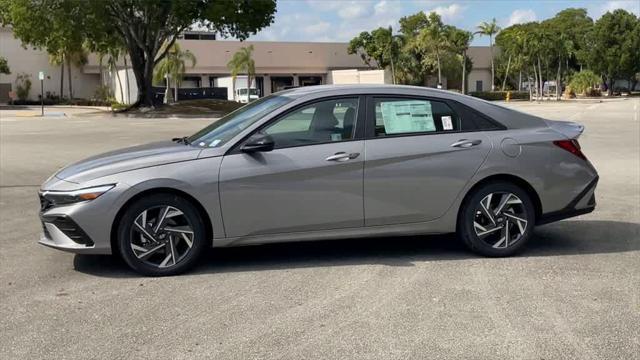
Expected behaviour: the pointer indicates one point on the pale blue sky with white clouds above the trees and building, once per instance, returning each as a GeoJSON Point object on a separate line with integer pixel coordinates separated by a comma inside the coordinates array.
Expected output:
{"type": "Point", "coordinates": [340, 21]}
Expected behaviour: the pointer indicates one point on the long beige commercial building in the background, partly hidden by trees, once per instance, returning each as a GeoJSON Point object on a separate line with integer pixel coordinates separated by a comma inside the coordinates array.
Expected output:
{"type": "Point", "coordinates": [278, 65]}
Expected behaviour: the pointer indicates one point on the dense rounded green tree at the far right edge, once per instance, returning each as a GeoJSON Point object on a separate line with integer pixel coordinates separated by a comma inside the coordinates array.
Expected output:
{"type": "Point", "coordinates": [612, 42]}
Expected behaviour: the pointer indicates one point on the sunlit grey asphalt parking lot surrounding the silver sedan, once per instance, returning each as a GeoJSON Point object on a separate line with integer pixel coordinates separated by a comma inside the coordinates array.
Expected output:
{"type": "Point", "coordinates": [574, 293]}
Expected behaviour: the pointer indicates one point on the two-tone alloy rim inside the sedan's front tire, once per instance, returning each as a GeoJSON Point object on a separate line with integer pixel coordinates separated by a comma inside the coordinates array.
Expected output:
{"type": "Point", "coordinates": [161, 236]}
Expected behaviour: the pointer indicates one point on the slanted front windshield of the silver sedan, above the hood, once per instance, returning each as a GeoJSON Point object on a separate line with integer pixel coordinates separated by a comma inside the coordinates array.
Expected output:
{"type": "Point", "coordinates": [223, 130]}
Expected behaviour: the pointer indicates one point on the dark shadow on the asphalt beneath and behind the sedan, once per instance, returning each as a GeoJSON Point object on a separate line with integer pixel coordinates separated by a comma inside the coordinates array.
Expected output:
{"type": "Point", "coordinates": [558, 239]}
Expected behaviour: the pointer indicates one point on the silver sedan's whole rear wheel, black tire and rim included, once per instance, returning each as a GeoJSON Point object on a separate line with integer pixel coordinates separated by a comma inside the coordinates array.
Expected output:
{"type": "Point", "coordinates": [490, 233]}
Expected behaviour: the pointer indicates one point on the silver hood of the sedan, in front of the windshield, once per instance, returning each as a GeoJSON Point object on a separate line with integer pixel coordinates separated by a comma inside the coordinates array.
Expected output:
{"type": "Point", "coordinates": [131, 158]}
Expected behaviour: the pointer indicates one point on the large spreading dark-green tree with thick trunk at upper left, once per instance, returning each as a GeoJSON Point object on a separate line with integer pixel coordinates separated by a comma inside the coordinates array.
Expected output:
{"type": "Point", "coordinates": [141, 26]}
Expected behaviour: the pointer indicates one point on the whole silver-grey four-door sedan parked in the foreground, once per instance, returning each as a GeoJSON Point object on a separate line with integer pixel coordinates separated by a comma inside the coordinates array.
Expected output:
{"type": "Point", "coordinates": [325, 162]}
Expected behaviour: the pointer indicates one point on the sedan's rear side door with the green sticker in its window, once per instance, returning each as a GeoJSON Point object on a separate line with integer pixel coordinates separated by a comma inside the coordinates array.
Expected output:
{"type": "Point", "coordinates": [420, 153]}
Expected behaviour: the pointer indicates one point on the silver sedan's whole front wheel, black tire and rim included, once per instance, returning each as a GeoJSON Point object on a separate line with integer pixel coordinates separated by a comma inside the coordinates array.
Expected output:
{"type": "Point", "coordinates": [169, 249]}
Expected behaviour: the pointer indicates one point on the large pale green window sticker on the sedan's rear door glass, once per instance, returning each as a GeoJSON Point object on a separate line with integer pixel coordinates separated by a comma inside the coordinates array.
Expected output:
{"type": "Point", "coordinates": [407, 116]}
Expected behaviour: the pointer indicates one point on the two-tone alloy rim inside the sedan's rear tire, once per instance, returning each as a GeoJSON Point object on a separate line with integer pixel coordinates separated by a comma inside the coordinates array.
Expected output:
{"type": "Point", "coordinates": [500, 220]}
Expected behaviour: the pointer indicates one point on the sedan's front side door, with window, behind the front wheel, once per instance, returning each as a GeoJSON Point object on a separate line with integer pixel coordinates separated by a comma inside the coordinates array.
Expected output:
{"type": "Point", "coordinates": [311, 180]}
